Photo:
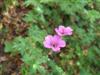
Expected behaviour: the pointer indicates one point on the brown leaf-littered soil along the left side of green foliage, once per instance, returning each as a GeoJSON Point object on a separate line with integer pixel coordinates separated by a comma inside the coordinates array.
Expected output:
{"type": "Point", "coordinates": [12, 20]}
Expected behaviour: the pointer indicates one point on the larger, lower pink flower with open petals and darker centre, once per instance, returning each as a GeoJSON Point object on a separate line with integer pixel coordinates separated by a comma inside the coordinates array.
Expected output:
{"type": "Point", "coordinates": [54, 42]}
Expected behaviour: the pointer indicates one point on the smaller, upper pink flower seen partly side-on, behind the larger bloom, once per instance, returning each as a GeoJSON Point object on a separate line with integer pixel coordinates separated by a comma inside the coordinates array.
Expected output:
{"type": "Point", "coordinates": [62, 31]}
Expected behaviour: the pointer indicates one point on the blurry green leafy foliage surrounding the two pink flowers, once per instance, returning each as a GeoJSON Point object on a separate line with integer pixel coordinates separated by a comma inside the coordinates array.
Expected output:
{"type": "Point", "coordinates": [82, 53]}
